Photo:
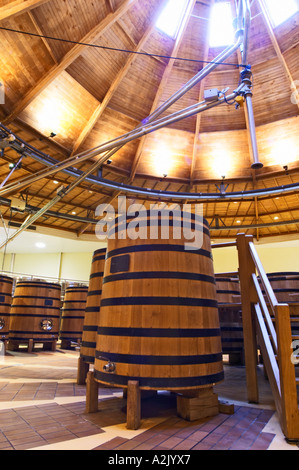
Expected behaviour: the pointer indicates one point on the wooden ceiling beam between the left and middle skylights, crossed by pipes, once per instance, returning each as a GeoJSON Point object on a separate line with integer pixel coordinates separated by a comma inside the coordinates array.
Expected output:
{"type": "Point", "coordinates": [163, 84]}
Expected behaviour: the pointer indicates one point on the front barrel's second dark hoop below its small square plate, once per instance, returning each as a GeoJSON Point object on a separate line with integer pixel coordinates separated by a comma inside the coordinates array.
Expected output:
{"type": "Point", "coordinates": [184, 301]}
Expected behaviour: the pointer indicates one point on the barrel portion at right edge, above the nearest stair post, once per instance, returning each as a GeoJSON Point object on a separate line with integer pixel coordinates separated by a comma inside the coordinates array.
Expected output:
{"type": "Point", "coordinates": [285, 286]}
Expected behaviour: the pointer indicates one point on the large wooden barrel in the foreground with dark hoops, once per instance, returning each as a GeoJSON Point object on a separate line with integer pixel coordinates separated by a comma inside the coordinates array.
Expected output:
{"type": "Point", "coordinates": [159, 321]}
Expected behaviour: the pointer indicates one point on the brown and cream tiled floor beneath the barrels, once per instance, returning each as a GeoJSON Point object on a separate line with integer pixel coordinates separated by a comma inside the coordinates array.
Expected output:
{"type": "Point", "coordinates": [42, 407]}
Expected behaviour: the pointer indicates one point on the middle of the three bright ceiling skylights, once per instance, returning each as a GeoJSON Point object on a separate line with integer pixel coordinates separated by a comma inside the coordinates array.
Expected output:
{"type": "Point", "coordinates": [221, 26]}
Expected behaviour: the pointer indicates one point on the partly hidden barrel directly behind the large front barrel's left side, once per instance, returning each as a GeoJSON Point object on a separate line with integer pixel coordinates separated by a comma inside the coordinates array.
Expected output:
{"type": "Point", "coordinates": [92, 310]}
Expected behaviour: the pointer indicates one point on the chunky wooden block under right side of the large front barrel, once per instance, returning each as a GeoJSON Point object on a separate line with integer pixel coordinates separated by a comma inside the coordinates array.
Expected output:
{"type": "Point", "coordinates": [203, 405]}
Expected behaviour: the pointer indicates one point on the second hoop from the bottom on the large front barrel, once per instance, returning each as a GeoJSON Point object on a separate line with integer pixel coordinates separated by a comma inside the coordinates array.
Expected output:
{"type": "Point", "coordinates": [159, 360]}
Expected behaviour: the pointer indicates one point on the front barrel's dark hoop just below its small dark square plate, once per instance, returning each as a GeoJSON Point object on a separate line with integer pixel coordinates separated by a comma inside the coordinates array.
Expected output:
{"type": "Point", "coordinates": [159, 275]}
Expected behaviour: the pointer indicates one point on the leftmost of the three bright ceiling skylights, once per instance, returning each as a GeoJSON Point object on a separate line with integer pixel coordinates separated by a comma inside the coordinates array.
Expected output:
{"type": "Point", "coordinates": [172, 16]}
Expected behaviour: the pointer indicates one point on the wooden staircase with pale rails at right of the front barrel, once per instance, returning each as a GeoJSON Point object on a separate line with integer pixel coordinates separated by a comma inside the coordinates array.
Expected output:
{"type": "Point", "coordinates": [267, 327]}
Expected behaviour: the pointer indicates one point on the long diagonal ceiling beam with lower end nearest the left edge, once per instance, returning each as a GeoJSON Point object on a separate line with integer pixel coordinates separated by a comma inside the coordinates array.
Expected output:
{"type": "Point", "coordinates": [69, 58]}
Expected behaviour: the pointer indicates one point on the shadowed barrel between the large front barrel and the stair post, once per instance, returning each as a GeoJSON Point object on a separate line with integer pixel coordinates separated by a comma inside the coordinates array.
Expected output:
{"type": "Point", "coordinates": [230, 316]}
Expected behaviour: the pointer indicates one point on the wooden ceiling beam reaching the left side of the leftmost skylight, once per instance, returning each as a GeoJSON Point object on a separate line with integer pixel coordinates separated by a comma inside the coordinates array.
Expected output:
{"type": "Point", "coordinates": [114, 85]}
